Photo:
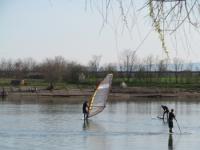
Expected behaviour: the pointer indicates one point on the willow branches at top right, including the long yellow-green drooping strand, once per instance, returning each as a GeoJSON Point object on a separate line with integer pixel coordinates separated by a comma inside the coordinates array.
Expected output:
{"type": "Point", "coordinates": [169, 15]}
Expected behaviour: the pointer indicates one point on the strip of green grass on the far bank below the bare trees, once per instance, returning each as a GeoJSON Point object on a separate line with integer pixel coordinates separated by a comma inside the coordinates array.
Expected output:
{"type": "Point", "coordinates": [164, 82]}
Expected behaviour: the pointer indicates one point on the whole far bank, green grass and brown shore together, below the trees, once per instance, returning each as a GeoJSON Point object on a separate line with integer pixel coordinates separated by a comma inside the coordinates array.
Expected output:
{"type": "Point", "coordinates": [135, 89]}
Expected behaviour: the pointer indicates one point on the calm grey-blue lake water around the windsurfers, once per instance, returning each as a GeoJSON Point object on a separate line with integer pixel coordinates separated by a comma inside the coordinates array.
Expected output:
{"type": "Point", "coordinates": [122, 125]}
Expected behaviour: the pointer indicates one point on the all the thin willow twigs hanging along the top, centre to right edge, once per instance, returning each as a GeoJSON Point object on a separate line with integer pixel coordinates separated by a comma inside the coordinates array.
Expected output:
{"type": "Point", "coordinates": [167, 15]}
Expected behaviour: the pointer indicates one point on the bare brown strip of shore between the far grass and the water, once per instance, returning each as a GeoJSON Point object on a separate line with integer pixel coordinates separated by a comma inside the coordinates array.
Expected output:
{"type": "Point", "coordinates": [116, 93]}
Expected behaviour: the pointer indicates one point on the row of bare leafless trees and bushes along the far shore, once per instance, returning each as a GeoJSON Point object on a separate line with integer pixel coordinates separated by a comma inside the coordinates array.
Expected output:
{"type": "Point", "coordinates": [130, 69]}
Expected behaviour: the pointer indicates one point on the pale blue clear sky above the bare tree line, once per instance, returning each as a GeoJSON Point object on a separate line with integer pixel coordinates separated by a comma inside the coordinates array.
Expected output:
{"type": "Point", "coordinates": [74, 30]}
